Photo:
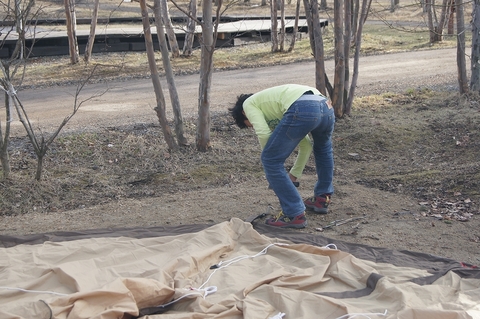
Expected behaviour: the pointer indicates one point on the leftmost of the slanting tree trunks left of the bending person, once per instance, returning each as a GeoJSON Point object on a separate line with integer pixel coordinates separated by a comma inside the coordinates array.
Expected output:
{"type": "Point", "coordinates": [160, 108]}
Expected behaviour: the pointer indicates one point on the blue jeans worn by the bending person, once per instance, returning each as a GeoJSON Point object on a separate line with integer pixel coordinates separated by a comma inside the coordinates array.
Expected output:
{"type": "Point", "coordinates": [309, 114]}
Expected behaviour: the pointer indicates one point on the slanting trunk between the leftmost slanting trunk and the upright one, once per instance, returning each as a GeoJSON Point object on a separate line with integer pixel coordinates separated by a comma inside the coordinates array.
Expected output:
{"type": "Point", "coordinates": [169, 75]}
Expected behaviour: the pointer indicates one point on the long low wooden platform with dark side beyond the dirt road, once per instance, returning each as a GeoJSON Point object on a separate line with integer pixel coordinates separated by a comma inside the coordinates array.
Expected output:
{"type": "Point", "coordinates": [51, 40]}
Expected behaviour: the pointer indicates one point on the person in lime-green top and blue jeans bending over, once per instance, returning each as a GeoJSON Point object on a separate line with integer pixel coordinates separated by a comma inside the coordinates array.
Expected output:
{"type": "Point", "coordinates": [282, 117]}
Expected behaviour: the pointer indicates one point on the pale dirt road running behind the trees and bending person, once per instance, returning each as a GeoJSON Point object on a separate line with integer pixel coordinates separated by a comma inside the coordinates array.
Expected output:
{"type": "Point", "coordinates": [132, 101]}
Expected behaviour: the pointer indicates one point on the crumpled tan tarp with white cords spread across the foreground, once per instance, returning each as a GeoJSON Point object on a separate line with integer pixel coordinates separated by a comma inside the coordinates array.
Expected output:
{"type": "Point", "coordinates": [229, 270]}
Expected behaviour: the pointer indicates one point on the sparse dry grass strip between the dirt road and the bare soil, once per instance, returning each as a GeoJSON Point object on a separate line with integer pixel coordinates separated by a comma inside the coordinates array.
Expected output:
{"type": "Point", "coordinates": [413, 154]}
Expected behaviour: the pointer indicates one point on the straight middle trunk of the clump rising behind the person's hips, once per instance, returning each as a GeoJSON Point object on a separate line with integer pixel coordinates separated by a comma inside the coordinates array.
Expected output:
{"type": "Point", "coordinates": [339, 79]}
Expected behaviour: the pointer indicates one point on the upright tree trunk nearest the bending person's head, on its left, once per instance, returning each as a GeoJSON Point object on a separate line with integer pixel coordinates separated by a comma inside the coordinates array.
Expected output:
{"type": "Point", "coordinates": [206, 70]}
